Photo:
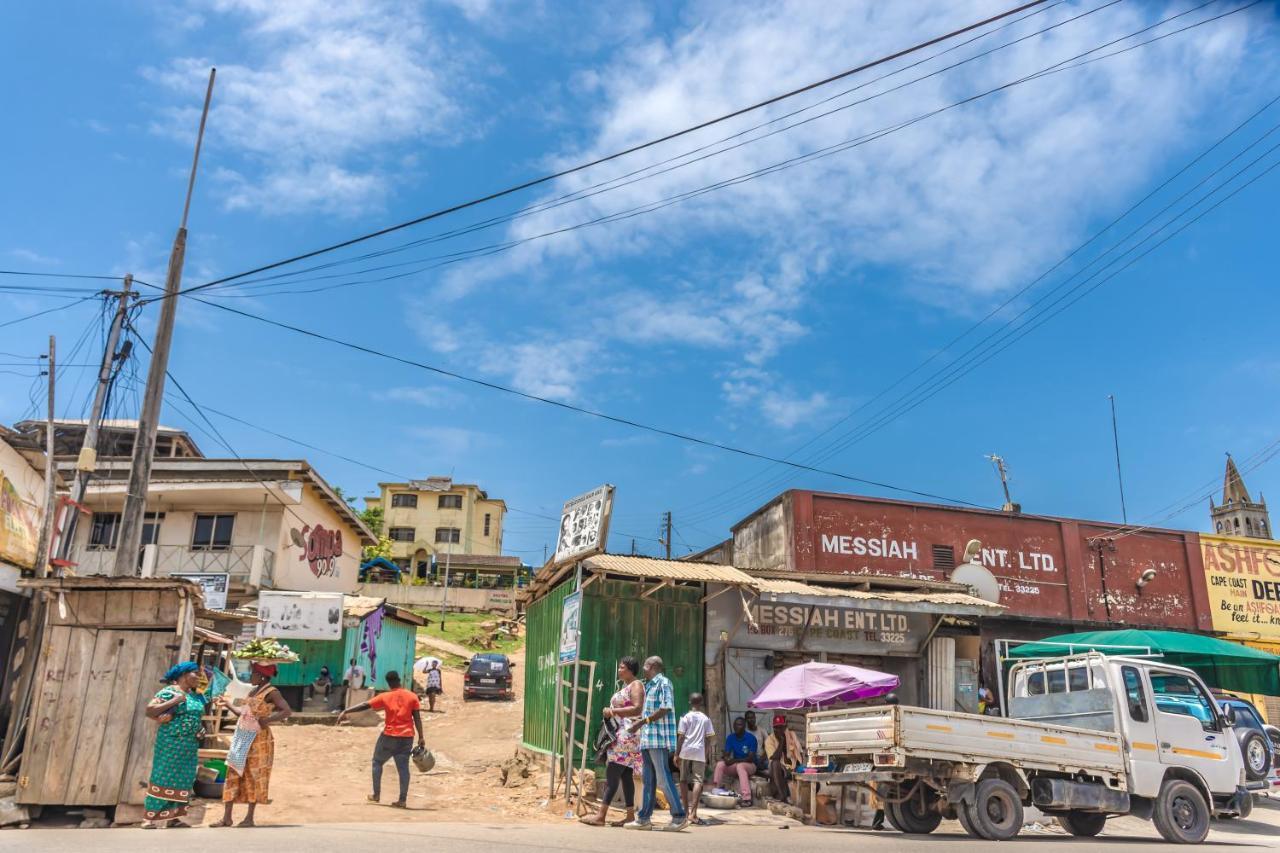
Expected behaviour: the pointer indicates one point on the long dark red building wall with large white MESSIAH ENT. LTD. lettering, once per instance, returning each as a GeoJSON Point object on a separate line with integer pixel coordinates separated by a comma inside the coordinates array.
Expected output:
{"type": "Point", "coordinates": [1054, 573]}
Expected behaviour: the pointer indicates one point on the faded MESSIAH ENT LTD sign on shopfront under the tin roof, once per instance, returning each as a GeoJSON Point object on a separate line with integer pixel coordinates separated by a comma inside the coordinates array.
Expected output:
{"type": "Point", "coordinates": [893, 631]}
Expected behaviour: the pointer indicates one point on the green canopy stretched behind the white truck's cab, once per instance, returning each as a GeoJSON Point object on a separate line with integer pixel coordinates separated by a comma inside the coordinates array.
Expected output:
{"type": "Point", "coordinates": [1228, 667]}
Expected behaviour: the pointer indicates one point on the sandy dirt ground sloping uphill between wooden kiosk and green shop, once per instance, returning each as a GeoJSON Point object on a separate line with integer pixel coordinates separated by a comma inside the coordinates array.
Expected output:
{"type": "Point", "coordinates": [323, 773]}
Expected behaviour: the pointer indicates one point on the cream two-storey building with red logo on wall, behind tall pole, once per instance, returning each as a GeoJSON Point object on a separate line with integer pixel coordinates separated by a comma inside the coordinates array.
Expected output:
{"type": "Point", "coordinates": [268, 523]}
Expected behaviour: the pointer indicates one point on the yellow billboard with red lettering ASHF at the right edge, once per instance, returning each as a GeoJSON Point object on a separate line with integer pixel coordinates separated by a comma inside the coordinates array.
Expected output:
{"type": "Point", "coordinates": [1244, 580]}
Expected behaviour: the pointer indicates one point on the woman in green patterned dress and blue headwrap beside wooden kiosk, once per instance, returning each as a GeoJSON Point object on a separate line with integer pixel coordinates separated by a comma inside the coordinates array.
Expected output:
{"type": "Point", "coordinates": [179, 709]}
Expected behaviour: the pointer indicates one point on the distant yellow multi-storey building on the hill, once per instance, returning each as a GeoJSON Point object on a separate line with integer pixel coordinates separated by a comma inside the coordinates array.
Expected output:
{"type": "Point", "coordinates": [436, 518]}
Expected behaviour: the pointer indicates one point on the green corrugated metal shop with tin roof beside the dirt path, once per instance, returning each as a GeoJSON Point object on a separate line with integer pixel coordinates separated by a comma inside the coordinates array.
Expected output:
{"type": "Point", "coordinates": [632, 606]}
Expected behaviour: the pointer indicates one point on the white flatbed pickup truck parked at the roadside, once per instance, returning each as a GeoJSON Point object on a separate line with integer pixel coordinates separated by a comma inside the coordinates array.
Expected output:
{"type": "Point", "coordinates": [1089, 737]}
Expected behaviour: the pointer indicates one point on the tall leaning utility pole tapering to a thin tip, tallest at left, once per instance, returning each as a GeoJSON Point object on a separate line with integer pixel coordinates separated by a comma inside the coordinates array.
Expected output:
{"type": "Point", "coordinates": [149, 419]}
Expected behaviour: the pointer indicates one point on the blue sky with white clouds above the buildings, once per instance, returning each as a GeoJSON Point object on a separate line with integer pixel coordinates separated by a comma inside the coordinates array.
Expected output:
{"type": "Point", "coordinates": [758, 316]}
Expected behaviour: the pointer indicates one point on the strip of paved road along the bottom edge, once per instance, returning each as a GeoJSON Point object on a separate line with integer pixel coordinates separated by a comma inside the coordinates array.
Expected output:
{"type": "Point", "coordinates": [478, 838]}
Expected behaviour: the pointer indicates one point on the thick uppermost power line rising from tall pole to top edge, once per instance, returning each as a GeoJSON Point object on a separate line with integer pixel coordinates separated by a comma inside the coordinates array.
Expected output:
{"type": "Point", "coordinates": [624, 153]}
